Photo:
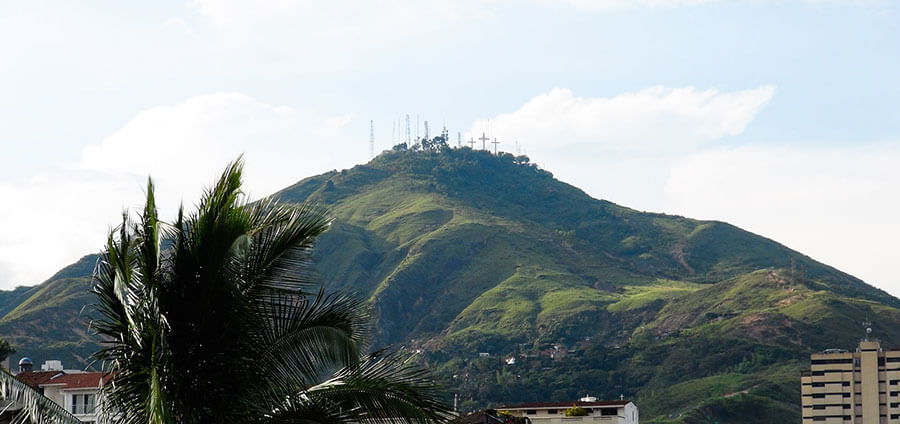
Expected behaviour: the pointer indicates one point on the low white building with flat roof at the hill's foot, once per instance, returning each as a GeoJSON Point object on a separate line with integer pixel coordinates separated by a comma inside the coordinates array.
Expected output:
{"type": "Point", "coordinates": [598, 411]}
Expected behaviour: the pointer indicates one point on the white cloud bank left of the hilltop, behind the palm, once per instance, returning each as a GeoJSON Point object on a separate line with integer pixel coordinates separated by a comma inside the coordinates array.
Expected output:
{"type": "Point", "coordinates": [64, 214]}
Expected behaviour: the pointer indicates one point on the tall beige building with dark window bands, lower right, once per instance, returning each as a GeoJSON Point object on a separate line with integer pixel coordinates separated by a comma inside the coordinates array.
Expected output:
{"type": "Point", "coordinates": [861, 387]}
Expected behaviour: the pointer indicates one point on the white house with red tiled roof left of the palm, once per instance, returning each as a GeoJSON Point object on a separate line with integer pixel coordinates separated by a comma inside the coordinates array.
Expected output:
{"type": "Point", "coordinates": [77, 391]}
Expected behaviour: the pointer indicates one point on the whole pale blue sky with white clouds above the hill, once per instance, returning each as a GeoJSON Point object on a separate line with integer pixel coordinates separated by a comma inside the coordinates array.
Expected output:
{"type": "Point", "coordinates": [777, 116]}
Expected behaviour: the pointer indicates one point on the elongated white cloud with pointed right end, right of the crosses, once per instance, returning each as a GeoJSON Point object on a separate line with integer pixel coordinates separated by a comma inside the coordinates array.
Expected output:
{"type": "Point", "coordinates": [653, 119]}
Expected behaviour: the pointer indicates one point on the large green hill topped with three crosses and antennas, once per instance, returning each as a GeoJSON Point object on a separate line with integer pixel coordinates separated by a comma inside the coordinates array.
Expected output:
{"type": "Point", "coordinates": [462, 253]}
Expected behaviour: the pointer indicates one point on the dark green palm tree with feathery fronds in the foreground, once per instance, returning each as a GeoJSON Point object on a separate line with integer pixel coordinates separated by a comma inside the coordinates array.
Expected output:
{"type": "Point", "coordinates": [217, 318]}
